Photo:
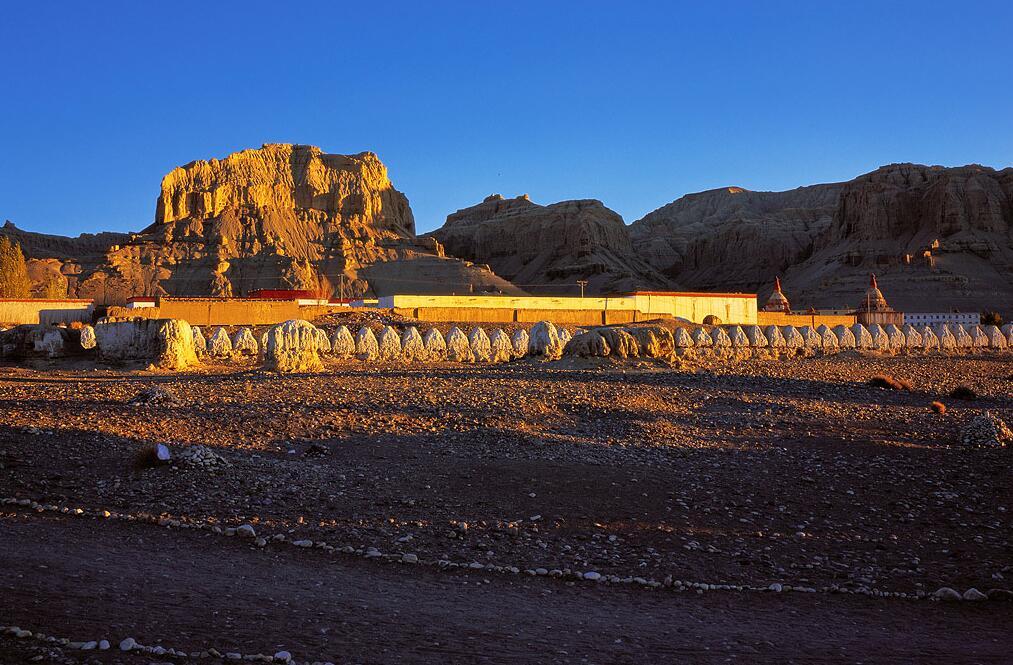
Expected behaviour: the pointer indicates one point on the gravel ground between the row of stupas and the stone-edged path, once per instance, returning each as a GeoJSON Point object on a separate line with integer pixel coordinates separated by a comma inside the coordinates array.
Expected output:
{"type": "Point", "coordinates": [761, 473]}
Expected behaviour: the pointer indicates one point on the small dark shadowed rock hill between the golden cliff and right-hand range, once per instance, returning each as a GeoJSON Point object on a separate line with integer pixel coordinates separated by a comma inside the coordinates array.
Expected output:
{"type": "Point", "coordinates": [548, 249]}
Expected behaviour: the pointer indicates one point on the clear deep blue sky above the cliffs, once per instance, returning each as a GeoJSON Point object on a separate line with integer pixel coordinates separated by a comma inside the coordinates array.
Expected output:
{"type": "Point", "coordinates": [634, 104]}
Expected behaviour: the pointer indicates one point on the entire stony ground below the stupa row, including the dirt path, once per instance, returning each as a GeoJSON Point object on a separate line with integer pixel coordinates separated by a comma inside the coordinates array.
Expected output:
{"type": "Point", "coordinates": [762, 473]}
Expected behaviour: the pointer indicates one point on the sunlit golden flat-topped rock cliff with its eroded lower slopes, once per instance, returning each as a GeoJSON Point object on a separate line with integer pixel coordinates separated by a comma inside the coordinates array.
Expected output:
{"type": "Point", "coordinates": [279, 217]}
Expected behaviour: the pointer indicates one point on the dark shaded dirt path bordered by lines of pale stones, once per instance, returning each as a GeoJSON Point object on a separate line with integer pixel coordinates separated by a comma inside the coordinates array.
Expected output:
{"type": "Point", "coordinates": [89, 580]}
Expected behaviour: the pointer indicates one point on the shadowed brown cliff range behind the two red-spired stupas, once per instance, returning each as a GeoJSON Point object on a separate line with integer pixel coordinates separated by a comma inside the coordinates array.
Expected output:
{"type": "Point", "coordinates": [939, 239]}
